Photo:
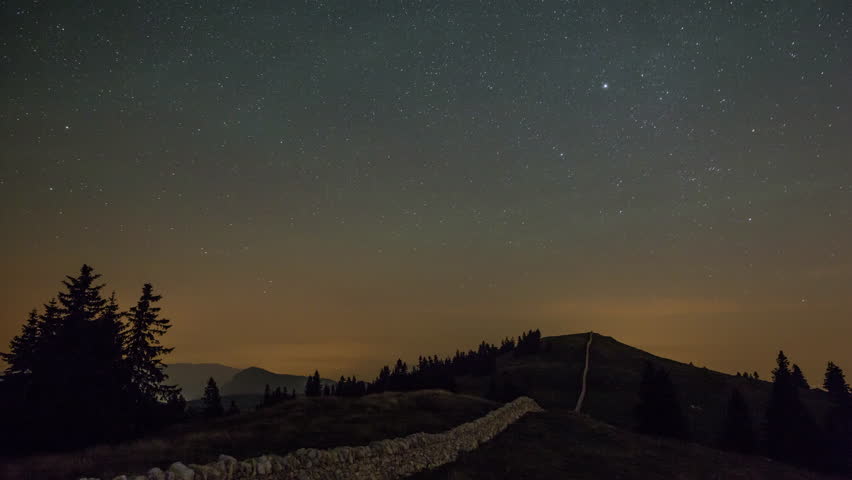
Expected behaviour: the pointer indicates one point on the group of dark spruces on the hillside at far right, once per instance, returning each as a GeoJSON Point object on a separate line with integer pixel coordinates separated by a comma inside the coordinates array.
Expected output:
{"type": "Point", "coordinates": [790, 432]}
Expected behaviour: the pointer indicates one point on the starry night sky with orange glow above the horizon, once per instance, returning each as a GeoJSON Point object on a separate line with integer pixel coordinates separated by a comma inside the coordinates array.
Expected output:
{"type": "Point", "coordinates": [337, 184]}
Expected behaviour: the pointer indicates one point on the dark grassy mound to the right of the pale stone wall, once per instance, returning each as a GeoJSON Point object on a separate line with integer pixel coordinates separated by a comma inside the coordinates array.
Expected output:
{"type": "Point", "coordinates": [562, 444]}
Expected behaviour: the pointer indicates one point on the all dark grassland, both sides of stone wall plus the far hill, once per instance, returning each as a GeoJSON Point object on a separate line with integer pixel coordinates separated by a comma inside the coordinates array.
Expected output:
{"type": "Point", "coordinates": [554, 444]}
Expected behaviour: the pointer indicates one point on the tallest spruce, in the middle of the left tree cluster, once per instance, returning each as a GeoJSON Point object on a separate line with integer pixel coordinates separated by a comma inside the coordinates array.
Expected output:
{"type": "Point", "coordinates": [81, 382]}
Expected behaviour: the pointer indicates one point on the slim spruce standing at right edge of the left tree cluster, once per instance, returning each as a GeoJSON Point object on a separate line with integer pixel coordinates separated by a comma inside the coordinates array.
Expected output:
{"type": "Point", "coordinates": [144, 351]}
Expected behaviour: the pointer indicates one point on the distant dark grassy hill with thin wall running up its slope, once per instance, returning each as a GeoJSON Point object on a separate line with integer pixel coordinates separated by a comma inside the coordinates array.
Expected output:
{"type": "Point", "coordinates": [552, 377]}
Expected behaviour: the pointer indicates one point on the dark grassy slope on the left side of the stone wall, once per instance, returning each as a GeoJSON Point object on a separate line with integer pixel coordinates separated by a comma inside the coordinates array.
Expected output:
{"type": "Point", "coordinates": [303, 422]}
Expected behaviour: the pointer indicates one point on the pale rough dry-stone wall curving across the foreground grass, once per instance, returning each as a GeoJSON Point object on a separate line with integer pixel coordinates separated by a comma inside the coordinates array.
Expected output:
{"type": "Point", "coordinates": [385, 459]}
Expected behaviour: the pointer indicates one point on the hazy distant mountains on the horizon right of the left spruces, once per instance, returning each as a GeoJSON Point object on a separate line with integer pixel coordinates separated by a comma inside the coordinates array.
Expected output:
{"type": "Point", "coordinates": [192, 378]}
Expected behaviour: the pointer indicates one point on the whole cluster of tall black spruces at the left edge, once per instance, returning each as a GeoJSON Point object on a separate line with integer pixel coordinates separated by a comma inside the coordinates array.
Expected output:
{"type": "Point", "coordinates": [84, 371]}
